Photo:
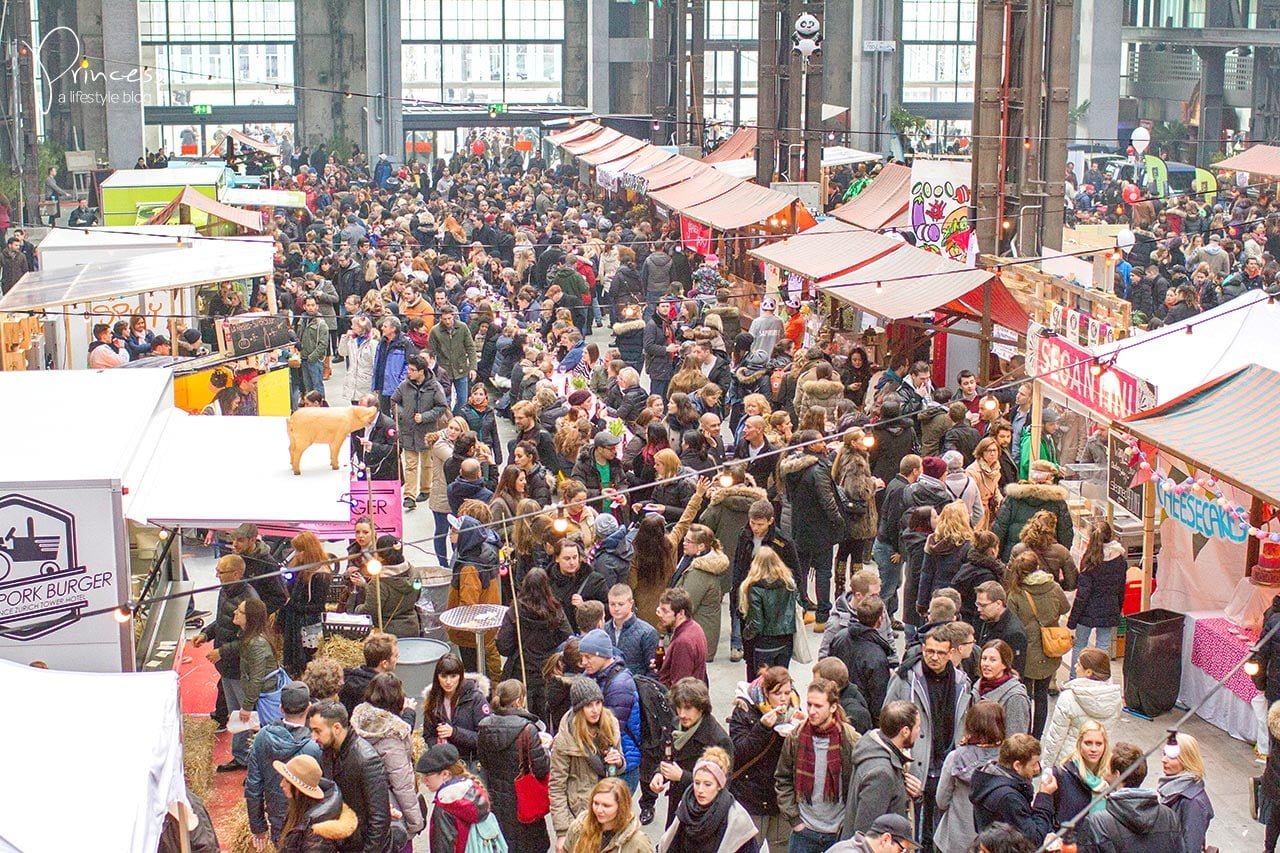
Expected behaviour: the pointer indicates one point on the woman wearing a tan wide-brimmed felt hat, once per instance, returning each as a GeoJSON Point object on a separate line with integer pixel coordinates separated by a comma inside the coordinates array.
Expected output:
{"type": "Point", "coordinates": [318, 822]}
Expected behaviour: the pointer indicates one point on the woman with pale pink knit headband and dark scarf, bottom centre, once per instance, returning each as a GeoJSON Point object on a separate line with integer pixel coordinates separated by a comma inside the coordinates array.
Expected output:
{"type": "Point", "coordinates": [708, 818]}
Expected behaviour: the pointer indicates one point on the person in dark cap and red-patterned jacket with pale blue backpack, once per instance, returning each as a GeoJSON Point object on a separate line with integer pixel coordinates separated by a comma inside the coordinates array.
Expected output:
{"type": "Point", "coordinates": [461, 818]}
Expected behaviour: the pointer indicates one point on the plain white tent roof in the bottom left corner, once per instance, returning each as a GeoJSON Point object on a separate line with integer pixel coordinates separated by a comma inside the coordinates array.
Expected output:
{"type": "Point", "coordinates": [109, 791]}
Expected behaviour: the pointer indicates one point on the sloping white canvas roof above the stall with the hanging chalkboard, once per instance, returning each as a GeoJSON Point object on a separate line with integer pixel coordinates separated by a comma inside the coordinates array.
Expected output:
{"type": "Point", "coordinates": [198, 262]}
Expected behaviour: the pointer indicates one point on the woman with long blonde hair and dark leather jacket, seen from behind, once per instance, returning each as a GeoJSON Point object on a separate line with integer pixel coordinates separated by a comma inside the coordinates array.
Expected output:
{"type": "Point", "coordinates": [767, 601]}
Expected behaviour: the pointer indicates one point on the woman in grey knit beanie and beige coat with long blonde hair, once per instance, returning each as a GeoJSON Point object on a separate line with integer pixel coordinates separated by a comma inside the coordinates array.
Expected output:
{"type": "Point", "coordinates": [588, 747]}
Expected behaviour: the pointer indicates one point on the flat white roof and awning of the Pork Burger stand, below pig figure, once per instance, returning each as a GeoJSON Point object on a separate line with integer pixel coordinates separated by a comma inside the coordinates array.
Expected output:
{"type": "Point", "coordinates": [122, 426]}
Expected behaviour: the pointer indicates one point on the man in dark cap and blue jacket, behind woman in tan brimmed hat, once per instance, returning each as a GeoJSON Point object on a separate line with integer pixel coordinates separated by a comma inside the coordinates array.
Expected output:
{"type": "Point", "coordinates": [281, 741]}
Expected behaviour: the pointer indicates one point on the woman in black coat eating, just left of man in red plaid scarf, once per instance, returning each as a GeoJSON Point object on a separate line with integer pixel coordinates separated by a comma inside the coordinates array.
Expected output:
{"type": "Point", "coordinates": [752, 729]}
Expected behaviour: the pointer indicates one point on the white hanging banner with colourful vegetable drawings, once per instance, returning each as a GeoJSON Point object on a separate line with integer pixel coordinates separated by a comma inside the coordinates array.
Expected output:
{"type": "Point", "coordinates": [940, 207]}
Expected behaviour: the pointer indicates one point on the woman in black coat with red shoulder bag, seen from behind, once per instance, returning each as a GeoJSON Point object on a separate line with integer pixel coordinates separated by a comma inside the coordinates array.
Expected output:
{"type": "Point", "coordinates": [509, 747]}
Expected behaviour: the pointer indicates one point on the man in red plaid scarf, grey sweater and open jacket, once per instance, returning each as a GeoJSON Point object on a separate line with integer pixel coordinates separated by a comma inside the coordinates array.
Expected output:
{"type": "Point", "coordinates": [815, 772]}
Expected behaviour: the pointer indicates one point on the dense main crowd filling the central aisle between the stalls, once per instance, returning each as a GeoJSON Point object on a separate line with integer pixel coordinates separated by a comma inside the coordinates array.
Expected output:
{"type": "Point", "coordinates": [908, 531]}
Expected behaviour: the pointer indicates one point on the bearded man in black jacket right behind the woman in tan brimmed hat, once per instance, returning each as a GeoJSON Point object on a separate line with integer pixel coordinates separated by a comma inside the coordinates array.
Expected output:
{"type": "Point", "coordinates": [356, 768]}
